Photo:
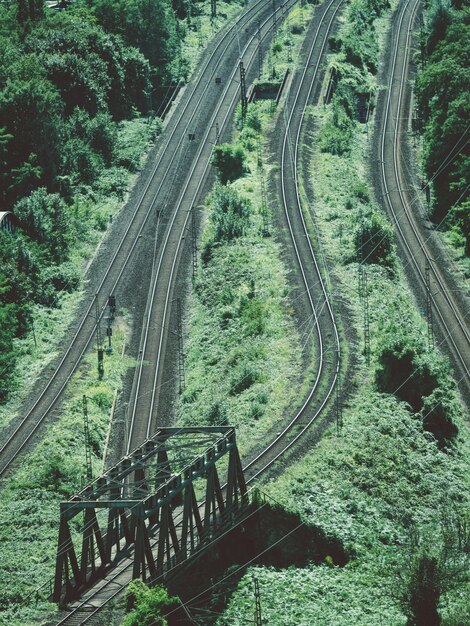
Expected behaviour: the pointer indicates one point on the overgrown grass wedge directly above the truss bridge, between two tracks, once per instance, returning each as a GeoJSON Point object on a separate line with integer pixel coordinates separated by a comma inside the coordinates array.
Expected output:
{"type": "Point", "coordinates": [243, 349]}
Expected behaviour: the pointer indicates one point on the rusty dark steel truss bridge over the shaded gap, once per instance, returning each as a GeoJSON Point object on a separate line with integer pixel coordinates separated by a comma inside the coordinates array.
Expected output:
{"type": "Point", "coordinates": [165, 500]}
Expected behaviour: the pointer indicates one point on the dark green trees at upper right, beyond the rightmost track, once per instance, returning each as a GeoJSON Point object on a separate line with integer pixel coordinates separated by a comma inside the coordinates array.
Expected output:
{"type": "Point", "coordinates": [442, 91]}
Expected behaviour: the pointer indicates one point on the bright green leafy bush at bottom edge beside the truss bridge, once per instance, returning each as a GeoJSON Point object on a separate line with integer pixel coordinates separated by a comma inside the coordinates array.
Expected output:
{"type": "Point", "coordinates": [147, 606]}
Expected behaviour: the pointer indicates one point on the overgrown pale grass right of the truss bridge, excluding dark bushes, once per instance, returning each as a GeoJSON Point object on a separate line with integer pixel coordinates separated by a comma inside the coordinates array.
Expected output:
{"type": "Point", "coordinates": [384, 488]}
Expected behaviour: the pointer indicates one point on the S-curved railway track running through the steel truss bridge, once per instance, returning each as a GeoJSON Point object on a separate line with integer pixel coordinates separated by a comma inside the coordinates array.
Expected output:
{"type": "Point", "coordinates": [304, 87]}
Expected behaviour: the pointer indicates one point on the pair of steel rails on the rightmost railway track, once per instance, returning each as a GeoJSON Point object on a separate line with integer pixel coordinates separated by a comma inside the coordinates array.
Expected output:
{"type": "Point", "coordinates": [458, 323]}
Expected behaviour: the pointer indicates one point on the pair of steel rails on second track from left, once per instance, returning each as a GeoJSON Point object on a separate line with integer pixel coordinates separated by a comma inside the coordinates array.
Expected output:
{"type": "Point", "coordinates": [253, 40]}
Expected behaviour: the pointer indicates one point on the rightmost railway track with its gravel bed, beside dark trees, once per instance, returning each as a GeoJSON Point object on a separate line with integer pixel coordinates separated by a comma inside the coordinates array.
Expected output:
{"type": "Point", "coordinates": [420, 252]}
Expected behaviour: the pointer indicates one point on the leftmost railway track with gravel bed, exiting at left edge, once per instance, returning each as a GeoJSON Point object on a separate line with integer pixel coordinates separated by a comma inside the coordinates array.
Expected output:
{"type": "Point", "coordinates": [175, 156]}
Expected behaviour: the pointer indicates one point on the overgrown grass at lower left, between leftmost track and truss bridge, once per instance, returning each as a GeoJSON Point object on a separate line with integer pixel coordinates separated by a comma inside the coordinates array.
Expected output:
{"type": "Point", "coordinates": [29, 500]}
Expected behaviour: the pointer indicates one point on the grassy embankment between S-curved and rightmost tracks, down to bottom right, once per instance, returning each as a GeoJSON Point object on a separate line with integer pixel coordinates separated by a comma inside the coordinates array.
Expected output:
{"type": "Point", "coordinates": [393, 487]}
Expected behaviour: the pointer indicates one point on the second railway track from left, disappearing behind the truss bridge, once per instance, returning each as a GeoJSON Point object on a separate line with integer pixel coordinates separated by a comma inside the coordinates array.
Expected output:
{"type": "Point", "coordinates": [152, 372]}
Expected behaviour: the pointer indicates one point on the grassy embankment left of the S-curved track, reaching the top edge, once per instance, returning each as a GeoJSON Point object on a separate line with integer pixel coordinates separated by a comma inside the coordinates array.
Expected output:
{"type": "Point", "coordinates": [244, 352]}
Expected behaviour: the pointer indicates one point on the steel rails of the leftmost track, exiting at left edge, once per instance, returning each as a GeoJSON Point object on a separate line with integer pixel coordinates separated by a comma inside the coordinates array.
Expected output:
{"type": "Point", "coordinates": [231, 34]}
